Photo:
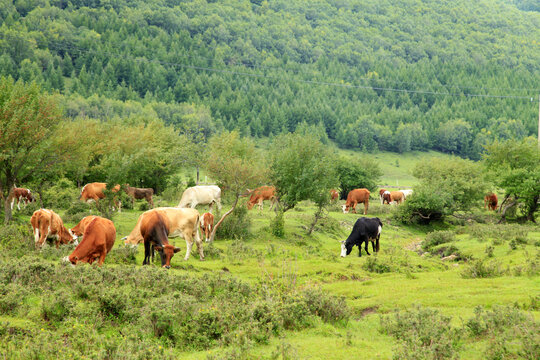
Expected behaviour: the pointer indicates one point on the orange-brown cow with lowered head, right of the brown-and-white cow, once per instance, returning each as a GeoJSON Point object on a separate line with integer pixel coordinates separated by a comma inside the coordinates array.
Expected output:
{"type": "Point", "coordinates": [98, 239]}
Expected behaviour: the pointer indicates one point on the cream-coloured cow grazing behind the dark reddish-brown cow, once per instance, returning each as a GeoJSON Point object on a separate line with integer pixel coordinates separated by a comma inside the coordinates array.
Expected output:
{"type": "Point", "coordinates": [179, 222]}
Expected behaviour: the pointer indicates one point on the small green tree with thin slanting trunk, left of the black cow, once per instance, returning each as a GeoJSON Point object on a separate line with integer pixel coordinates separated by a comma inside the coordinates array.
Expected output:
{"type": "Point", "coordinates": [302, 168]}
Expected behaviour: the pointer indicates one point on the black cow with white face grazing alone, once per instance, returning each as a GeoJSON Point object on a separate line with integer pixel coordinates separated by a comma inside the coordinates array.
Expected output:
{"type": "Point", "coordinates": [364, 230]}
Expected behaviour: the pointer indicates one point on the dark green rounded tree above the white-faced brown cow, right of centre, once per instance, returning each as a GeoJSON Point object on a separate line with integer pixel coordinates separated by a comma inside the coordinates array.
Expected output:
{"type": "Point", "coordinates": [357, 173]}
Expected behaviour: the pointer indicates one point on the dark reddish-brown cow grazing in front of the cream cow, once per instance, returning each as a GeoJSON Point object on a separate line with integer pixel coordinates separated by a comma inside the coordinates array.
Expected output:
{"type": "Point", "coordinates": [155, 231]}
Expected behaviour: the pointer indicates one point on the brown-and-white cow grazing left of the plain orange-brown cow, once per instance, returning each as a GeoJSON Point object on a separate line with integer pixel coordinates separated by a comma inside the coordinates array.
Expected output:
{"type": "Point", "coordinates": [47, 224]}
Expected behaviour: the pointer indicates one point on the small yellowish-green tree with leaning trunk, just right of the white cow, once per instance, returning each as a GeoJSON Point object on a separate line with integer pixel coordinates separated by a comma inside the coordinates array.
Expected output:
{"type": "Point", "coordinates": [236, 164]}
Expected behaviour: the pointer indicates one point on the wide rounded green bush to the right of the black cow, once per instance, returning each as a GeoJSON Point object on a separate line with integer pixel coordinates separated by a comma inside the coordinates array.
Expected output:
{"type": "Point", "coordinates": [446, 187]}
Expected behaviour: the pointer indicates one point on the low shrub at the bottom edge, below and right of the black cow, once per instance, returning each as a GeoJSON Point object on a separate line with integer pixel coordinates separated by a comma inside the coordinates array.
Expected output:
{"type": "Point", "coordinates": [422, 333]}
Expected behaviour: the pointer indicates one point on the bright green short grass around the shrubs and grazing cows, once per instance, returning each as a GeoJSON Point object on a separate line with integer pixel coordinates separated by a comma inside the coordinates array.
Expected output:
{"type": "Point", "coordinates": [299, 261]}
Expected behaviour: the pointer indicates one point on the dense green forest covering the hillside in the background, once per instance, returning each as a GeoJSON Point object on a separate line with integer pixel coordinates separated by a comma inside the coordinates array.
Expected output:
{"type": "Point", "coordinates": [392, 75]}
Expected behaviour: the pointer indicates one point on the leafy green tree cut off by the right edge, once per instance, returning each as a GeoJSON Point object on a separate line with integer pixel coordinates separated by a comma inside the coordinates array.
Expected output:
{"type": "Point", "coordinates": [515, 165]}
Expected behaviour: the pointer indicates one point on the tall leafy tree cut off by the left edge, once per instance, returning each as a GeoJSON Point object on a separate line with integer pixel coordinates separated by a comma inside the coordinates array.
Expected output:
{"type": "Point", "coordinates": [29, 138]}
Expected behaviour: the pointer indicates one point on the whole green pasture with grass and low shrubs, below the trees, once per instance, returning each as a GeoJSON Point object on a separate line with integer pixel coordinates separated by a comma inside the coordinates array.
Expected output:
{"type": "Point", "coordinates": [267, 297]}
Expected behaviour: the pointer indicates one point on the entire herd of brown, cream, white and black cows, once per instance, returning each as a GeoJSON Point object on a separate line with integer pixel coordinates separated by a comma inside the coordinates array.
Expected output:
{"type": "Point", "coordinates": [154, 227]}
